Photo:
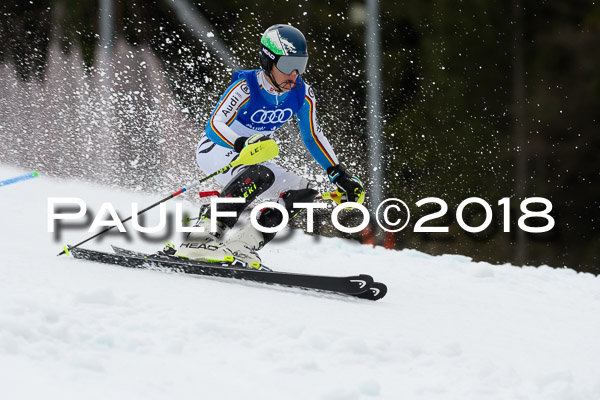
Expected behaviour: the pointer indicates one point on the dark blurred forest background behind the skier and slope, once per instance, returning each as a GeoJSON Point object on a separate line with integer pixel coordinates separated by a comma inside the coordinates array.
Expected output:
{"type": "Point", "coordinates": [481, 98]}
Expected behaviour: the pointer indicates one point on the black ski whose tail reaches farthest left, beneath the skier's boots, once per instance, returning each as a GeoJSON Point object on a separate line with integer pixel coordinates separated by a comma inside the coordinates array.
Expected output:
{"type": "Point", "coordinates": [348, 285]}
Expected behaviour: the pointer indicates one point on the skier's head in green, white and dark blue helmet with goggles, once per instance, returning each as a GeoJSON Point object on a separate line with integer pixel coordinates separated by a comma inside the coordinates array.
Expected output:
{"type": "Point", "coordinates": [283, 56]}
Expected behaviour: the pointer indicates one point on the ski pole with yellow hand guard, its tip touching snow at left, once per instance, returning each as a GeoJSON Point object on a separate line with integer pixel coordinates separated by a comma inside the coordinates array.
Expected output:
{"type": "Point", "coordinates": [250, 155]}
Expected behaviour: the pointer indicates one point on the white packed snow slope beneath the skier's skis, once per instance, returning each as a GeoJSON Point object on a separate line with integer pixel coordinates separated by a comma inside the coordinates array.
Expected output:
{"type": "Point", "coordinates": [449, 328]}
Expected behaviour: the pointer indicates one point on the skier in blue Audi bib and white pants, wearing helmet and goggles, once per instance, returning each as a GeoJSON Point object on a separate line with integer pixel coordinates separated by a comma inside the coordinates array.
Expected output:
{"type": "Point", "coordinates": [254, 106]}
